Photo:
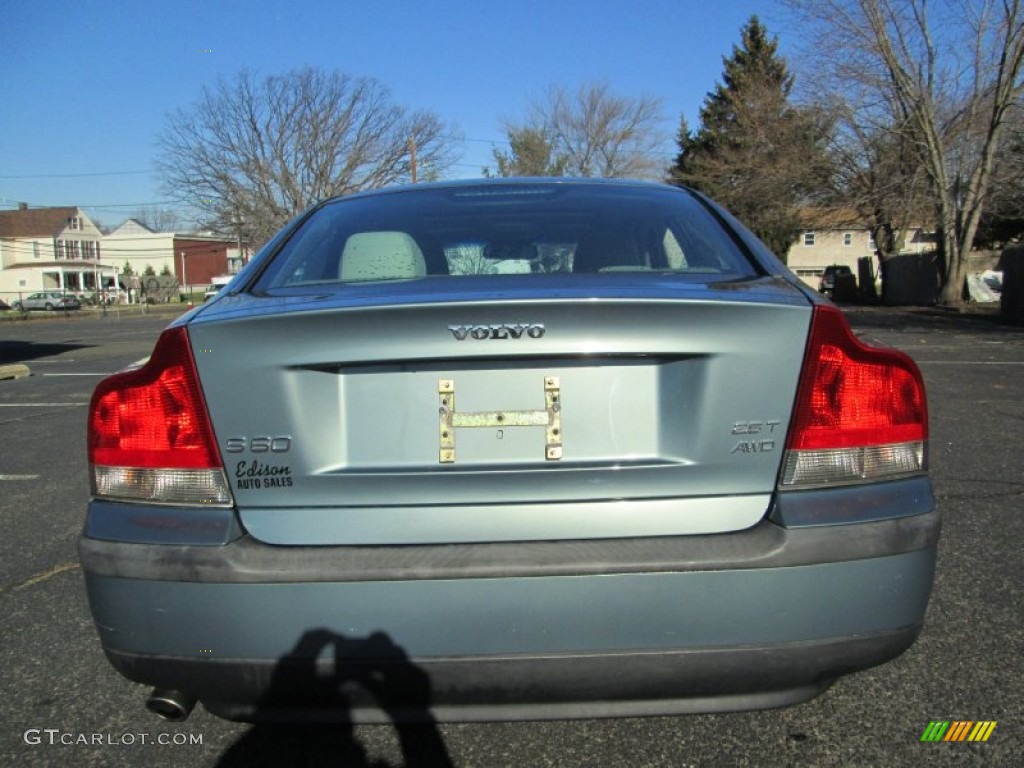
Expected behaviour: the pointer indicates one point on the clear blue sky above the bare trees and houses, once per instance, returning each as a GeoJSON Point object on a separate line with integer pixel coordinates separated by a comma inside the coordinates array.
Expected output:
{"type": "Point", "coordinates": [88, 87]}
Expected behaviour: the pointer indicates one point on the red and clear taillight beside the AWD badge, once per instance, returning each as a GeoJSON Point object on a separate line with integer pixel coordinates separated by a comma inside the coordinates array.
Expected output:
{"type": "Point", "coordinates": [861, 411]}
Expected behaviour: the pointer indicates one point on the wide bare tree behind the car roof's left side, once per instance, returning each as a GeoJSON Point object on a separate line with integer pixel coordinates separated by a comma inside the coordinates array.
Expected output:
{"type": "Point", "coordinates": [260, 152]}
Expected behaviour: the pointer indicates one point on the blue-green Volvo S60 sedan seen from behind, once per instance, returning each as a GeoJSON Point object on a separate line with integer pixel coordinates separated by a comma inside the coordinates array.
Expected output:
{"type": "Point", "coordinates": [508, 449]}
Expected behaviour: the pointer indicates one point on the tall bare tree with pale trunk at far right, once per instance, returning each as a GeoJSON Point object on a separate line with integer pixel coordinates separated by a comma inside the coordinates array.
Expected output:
{"type": "Point", "coordinates": [945, 73]}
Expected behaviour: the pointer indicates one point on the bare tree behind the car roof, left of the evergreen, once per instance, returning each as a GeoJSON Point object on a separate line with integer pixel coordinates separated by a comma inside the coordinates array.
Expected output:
{"type": "Point", "coordinates": [587, 133]}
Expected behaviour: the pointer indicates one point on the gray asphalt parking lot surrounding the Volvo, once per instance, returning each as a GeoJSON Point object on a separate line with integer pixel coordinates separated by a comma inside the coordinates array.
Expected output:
{"type": "Point", "coordinates": [62, 704]}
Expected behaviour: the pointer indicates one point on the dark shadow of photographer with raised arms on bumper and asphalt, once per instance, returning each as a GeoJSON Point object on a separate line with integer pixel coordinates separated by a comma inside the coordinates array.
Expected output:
{"type": "Point", "coordinates": [370, 673]}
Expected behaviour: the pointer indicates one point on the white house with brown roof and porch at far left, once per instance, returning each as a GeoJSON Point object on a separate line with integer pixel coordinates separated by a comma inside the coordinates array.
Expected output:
{"type": "Point", "coordinates": [52, 249]}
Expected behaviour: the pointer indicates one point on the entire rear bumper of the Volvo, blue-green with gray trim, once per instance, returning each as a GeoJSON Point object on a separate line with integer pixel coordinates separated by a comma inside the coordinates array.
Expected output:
{"type": "Point", "coordinates": [762, 618]}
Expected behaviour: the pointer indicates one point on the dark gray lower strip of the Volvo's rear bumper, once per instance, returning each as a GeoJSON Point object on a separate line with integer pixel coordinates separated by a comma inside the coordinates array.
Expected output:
{"type": "Point", "coordinates": [394, 689]}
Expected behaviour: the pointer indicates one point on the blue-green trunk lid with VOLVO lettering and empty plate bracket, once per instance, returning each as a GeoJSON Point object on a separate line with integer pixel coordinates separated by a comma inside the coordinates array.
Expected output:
{"type": "Point", "coordinates": [497, 418]}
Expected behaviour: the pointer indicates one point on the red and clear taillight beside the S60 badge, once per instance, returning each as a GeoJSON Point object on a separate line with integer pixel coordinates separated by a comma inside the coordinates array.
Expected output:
{"type": "Point", "coordinates": [150, 435]}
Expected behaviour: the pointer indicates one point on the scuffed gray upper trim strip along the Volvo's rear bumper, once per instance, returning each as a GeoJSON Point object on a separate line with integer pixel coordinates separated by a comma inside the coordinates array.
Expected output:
{"type": "Point", "coordinates": [764, 546]}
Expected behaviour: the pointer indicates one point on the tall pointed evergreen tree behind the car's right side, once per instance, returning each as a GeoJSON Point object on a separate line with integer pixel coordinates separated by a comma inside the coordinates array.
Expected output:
{"type": "Point", "coordinates": [756, 153]}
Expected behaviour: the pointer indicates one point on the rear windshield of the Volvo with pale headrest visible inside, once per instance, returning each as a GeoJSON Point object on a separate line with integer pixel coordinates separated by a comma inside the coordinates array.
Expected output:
{"type": "Point", "coordinates": [491, 231]}
